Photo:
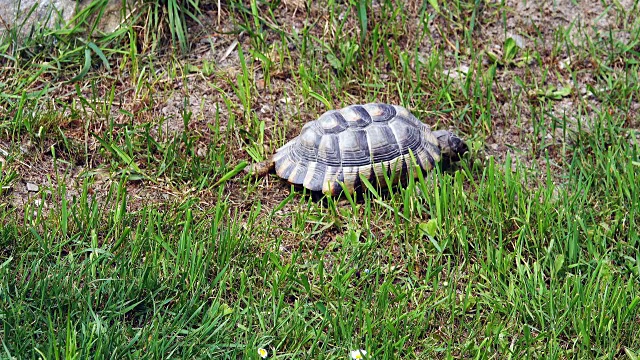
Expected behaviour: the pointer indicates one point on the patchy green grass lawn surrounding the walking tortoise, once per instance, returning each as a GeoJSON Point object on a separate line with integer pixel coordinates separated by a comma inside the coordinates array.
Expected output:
{"type": "Point", "coordinates": [141, 242]}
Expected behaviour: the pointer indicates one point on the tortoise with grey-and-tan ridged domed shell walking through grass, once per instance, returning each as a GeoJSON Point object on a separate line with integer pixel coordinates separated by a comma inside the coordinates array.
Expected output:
{"type": "Point", "coordinates": [360, 140]}
